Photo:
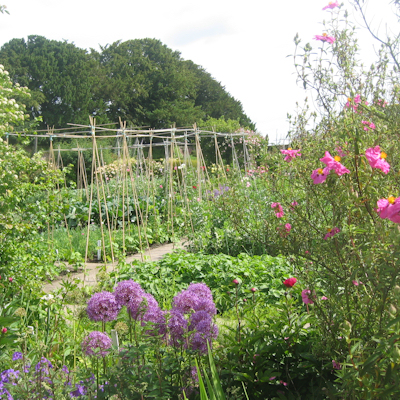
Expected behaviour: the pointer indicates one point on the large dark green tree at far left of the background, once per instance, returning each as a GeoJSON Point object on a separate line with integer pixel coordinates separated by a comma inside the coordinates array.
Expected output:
{"type": "Point", "coordinates": [63, 79]}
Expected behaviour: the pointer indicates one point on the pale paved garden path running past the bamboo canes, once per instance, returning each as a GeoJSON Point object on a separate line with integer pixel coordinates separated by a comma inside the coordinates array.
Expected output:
{"type": "Point", "coordinates": [154, 253]}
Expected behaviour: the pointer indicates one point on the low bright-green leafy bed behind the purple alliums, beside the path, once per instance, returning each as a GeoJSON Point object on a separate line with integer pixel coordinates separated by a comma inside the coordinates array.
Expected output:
{"type": "Point", "coordinates": [176, 270]}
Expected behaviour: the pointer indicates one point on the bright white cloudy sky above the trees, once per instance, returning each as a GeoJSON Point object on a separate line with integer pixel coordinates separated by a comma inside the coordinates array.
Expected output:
{"type": "Point", "coordinates": [243, 44]}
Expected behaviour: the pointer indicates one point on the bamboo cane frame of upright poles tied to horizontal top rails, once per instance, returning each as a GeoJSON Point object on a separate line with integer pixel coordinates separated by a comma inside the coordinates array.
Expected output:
{"type": "Point", "coordinates": [178, 144]}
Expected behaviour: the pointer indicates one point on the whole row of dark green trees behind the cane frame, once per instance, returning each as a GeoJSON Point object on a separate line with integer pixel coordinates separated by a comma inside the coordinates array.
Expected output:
{"type": "Point", "coordinates": [142, 81]}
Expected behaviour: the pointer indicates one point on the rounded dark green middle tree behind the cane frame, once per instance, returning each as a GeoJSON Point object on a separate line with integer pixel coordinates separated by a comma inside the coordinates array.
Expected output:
{"type": "Point", "coordinates": [149, 84]}
